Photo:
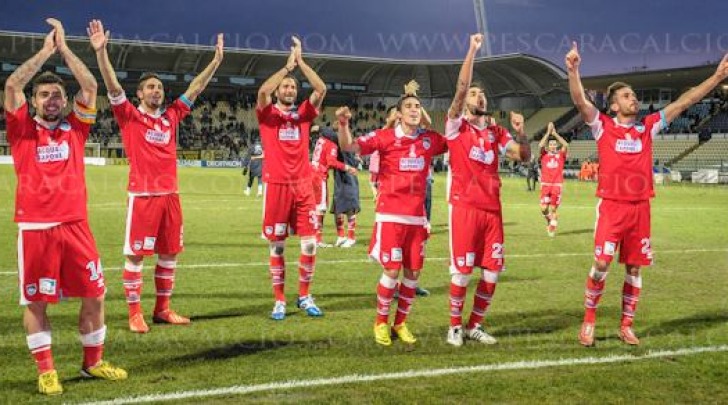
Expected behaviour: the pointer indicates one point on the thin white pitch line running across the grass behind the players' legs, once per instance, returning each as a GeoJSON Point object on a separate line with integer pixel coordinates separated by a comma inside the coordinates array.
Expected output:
{"type": "Point", "coordinates": [516, 256]}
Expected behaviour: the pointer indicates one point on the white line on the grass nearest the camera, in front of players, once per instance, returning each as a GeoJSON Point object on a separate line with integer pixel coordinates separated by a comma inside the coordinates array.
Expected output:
{"type": "Point", "coordinates": [358, 378]}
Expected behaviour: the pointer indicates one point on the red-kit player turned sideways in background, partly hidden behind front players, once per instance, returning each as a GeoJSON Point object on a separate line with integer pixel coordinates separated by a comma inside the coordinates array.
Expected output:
{"type": "Point", "coordinates": [325, 157]}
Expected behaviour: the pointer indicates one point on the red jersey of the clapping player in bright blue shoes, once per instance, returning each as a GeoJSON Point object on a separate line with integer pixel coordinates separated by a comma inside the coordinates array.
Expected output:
{"type": "Point", "coordinates": [285, 137]}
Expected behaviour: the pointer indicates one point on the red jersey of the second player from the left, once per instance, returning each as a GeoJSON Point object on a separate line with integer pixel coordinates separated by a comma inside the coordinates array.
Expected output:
{"type": "Point", "coordinates": [150, 142]}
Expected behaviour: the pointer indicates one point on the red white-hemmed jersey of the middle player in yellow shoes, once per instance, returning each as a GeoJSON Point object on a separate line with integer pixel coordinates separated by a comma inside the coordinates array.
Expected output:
{"type": "Point", "coordinates": [403, 168]}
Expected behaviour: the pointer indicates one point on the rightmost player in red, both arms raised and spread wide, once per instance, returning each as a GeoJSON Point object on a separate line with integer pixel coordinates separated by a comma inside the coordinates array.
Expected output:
{"type": "Point", "coordinates": [625, 186]}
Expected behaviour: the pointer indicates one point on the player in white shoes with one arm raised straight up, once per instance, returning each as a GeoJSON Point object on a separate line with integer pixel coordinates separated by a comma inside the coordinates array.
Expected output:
{"type": "Point", "coordinates": [476, 220]}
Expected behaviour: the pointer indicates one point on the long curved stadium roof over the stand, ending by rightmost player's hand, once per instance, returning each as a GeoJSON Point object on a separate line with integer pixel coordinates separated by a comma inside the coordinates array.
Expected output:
{"type": "Point", "coordinates": [514, 74]}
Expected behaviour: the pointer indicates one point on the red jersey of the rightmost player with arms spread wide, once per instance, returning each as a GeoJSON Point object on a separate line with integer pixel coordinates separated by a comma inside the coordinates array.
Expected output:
{"type": "Point", "coordinates": [625, 156]}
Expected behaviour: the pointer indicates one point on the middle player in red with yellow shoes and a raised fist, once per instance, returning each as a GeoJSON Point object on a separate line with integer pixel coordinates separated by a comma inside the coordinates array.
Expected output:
{"type": "Point", "coordinates": [400, 233]}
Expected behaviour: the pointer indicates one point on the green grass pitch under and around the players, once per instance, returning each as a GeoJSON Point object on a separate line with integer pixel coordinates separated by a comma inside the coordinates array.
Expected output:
{"type": "Point", "coordinates": [536, 312]}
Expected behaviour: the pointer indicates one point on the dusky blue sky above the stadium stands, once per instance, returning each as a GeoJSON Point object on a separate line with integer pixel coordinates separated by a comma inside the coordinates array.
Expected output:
{"type": "Point", "coordinates": [616, 35]}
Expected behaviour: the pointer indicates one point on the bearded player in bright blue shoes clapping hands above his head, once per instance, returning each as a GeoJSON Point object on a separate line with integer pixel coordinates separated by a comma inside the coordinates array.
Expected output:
{"type": "Point", "coordinates": [289, 200]}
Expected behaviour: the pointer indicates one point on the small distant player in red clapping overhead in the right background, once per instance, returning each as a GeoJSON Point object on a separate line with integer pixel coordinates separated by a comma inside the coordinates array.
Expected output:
{"type": "Point", "coordinates": [552, 176]}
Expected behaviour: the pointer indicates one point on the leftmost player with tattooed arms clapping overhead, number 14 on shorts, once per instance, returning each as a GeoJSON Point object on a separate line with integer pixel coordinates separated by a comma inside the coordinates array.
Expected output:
{"type": "Point", "coordinates": [57, 254]}
